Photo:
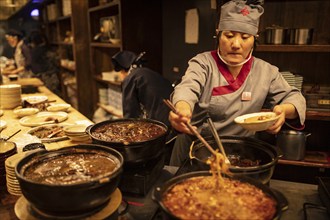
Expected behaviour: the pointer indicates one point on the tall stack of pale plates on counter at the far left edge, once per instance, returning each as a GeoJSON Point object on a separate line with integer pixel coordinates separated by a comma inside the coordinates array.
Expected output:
{"type": "Point", "coordinates": [10, 96]}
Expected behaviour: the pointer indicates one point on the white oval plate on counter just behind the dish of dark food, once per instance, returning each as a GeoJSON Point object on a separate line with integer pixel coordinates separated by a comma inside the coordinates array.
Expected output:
{"type": "Point", "coordinates": [43, 118]}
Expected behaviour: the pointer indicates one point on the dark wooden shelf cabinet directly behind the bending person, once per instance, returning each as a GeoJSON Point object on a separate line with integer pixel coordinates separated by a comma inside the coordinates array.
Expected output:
{"type": "Point", "coordinates": [134, 26]}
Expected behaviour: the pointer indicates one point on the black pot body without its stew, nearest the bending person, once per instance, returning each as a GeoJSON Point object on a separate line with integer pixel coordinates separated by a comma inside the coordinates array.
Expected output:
{"type": "Point", "coordinates": [133, 152]}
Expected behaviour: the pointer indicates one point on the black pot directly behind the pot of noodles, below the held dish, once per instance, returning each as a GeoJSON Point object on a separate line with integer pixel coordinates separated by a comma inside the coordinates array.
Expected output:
{"type": "Point", "coordinates": [237, 147]}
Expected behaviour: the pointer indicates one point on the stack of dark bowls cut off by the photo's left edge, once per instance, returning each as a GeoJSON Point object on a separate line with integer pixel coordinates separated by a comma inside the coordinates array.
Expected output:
{"type": "Point", "coordinates": [7, 149]}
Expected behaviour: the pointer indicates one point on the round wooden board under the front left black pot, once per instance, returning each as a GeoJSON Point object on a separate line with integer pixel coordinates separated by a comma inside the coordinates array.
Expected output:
{"type": "Point", "coordinates": [25, 211]}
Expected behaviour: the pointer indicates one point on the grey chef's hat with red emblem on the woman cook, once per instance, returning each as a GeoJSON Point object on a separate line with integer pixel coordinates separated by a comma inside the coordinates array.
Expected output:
{"type": "Point", "coordinates": [241, 16]}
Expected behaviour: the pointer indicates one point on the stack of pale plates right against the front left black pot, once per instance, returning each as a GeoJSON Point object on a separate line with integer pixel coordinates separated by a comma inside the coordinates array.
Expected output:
{"type": "Point", "coordinates": [13, 186]}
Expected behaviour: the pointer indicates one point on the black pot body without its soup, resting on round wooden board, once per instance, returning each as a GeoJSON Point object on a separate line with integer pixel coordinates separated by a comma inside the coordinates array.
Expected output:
{"type": "Point", "coordinates": [70, 198]}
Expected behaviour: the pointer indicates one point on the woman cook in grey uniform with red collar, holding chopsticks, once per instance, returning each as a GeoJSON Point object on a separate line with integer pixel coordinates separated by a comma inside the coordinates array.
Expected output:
{"type": "Point", "coordinates": [229, 82]}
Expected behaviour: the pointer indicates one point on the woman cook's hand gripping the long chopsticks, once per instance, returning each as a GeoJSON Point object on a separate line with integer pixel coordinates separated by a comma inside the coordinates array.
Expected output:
{"type": "Point", "coordinates": [182, 116]}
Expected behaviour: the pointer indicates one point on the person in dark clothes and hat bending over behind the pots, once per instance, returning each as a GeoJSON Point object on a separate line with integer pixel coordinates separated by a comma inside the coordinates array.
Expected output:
{"type": "Point", "coordinates": [143, 89]}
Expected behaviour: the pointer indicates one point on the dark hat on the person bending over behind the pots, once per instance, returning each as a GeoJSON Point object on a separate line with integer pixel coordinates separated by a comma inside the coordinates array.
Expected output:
{"type": "Point", "coordinates": [123, 60]}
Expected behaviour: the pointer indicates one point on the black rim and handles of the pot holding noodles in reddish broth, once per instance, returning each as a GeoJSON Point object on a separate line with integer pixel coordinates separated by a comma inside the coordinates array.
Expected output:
{"type": "Point", "coordinates": [158, 192]}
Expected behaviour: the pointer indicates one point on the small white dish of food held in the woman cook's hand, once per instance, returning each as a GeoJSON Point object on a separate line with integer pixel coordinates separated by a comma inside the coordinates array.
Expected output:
{"type": "Point", "coordinates": [258, 121]}
